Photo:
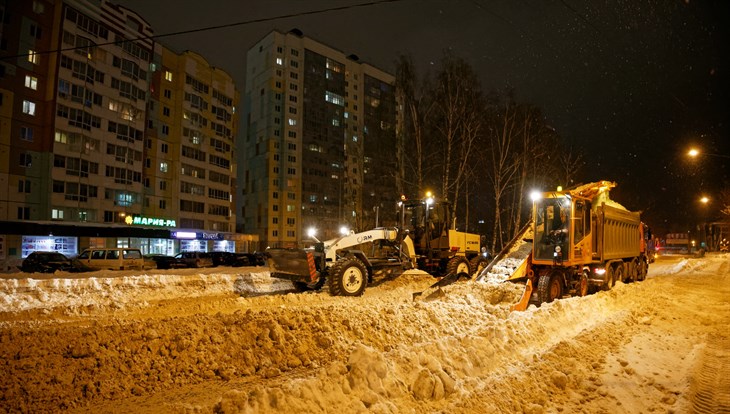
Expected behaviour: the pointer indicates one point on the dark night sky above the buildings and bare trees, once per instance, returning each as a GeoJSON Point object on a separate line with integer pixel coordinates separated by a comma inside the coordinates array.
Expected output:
{"type": "Point", "coordinates": [630, 83]}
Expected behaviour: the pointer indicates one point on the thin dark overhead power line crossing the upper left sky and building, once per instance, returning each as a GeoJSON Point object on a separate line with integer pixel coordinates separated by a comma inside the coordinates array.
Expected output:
{"type": "Point", "coordinates": [208, 28]}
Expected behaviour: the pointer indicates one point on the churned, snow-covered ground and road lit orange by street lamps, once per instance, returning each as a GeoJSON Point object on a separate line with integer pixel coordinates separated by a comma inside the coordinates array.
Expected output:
{"type": "Point", "coordinates": [235, 340]}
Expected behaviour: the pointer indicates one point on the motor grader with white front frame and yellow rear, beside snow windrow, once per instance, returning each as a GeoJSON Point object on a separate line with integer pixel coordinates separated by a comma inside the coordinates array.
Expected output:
{"type": "Point", "coordinates": [347, 264]}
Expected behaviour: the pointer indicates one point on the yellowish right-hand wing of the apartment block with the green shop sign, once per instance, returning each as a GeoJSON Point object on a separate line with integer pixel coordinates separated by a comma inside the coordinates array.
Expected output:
{"type": "Point", "coordinates": [191, 163]}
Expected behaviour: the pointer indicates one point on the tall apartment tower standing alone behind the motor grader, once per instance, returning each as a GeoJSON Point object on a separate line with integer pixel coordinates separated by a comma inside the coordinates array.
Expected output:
{"type": "Point", "coordinates": [320, 145]}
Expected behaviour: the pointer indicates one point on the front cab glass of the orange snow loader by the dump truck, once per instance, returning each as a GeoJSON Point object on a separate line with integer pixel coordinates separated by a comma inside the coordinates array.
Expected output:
{"type": "Point", "coordinates": [552, 227]}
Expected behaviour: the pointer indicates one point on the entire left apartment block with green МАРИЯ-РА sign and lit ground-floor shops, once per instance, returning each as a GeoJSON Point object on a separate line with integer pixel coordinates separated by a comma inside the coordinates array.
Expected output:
{"type": "Point", "coordinates": [107, 138]}
